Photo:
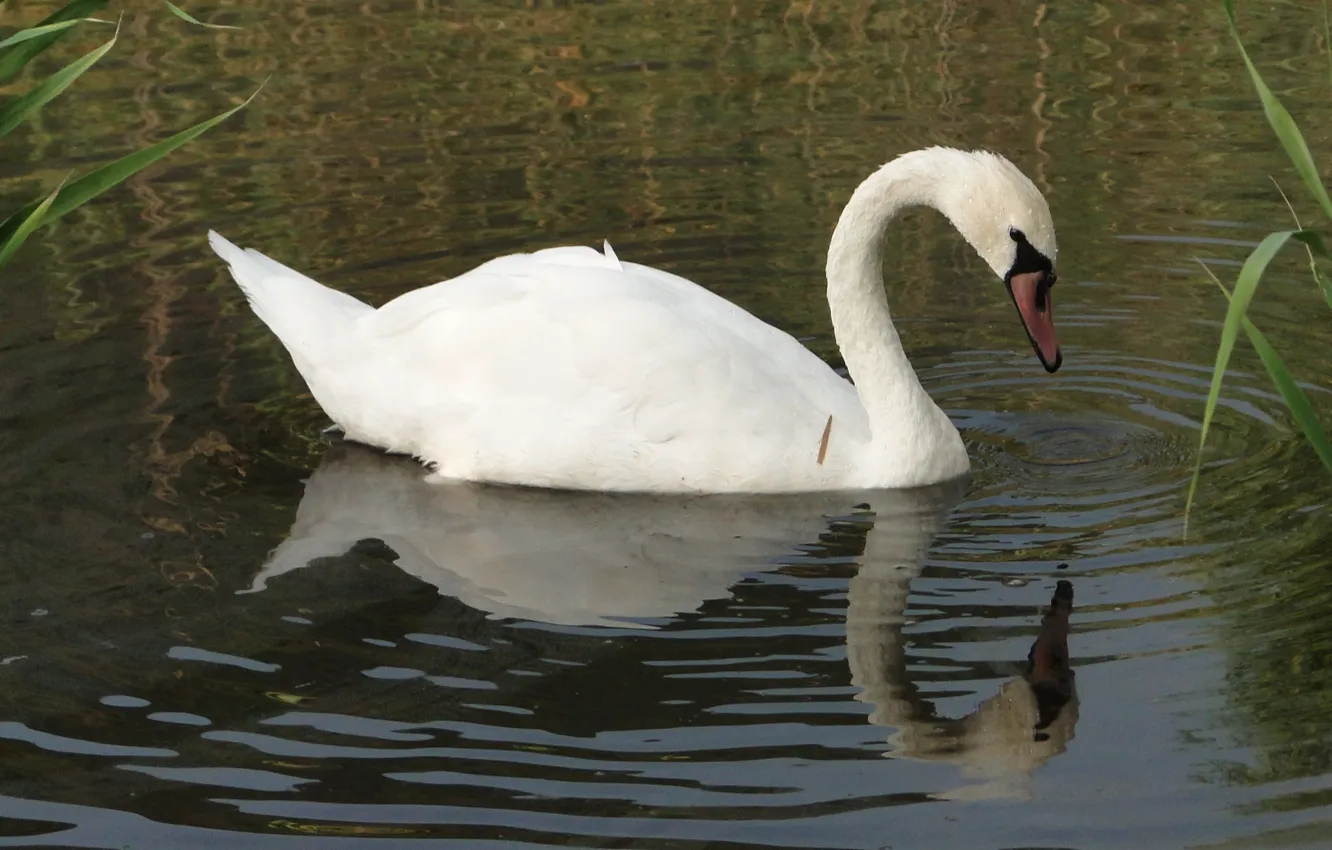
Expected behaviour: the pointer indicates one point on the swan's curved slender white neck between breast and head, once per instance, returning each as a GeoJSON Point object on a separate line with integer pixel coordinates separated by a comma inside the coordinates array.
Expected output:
{"type": "Point", "coordinates": [898, 407]}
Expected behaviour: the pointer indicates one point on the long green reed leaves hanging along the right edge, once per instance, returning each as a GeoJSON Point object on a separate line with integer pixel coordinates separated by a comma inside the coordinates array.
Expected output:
{"type": "Point", "coordinates": [1293, 141]}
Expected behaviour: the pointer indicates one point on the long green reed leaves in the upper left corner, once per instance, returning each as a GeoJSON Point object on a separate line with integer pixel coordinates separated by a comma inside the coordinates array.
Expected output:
{"type": "Point", "coordinates": [15, 54]}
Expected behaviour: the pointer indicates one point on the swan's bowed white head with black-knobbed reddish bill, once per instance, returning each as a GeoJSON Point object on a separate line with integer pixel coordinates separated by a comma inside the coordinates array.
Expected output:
{"type": "Point", "coordinates": [1005, 216]}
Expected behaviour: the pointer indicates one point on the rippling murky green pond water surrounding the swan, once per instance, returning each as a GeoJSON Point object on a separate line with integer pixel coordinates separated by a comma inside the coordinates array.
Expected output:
{"type": "Point", "coordinates": [220, 630]}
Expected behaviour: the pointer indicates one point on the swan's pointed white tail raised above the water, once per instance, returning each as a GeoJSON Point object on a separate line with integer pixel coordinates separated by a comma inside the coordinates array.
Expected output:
{"type": "Point", "coordinates": [307, 316]}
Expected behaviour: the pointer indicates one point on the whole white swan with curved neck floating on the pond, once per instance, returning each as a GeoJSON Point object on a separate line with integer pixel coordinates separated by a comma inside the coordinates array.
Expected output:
{"type": "Point", "coordinates": [567, 368]}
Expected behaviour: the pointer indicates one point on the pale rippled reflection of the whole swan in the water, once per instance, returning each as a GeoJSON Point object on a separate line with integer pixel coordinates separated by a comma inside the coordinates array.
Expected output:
{"type": "Point", "coordinates": [621, 560]}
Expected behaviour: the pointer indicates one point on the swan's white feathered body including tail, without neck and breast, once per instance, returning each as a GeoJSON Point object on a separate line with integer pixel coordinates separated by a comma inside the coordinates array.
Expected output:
{"type": "Point", "coordinates": [568, 368]}
